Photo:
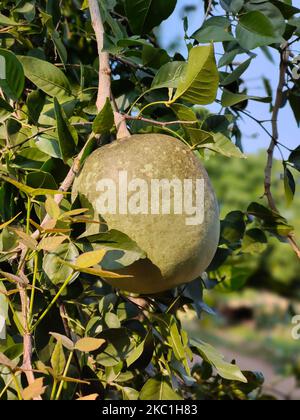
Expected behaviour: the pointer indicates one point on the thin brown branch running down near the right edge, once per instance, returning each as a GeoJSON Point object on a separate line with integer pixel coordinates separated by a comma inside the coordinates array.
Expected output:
{"type": "Point", "coordinates": [274, 140]}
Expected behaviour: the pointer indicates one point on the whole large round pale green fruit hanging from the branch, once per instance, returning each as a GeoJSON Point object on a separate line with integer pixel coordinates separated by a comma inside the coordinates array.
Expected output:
{"type": "Point", "coordinates": [164, 202]}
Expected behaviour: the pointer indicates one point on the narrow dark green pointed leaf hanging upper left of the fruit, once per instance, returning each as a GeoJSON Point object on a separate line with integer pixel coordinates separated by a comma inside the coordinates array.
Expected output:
{"type": "Point", "coordinates": [67, 135]}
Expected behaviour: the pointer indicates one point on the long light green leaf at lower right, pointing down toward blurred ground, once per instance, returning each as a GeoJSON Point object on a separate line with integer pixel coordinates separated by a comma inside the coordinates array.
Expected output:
{"type": "Point", "coordinates": [212, 356]}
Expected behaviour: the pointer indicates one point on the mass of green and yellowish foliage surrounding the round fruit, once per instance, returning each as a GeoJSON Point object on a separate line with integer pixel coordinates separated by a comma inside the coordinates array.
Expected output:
{"type": "Point", "coordinates": [89, 341]}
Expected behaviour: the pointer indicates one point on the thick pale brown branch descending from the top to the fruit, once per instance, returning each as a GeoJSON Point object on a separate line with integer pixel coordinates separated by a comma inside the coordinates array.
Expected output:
{"type": "Point", "coordinates": [104, 86]}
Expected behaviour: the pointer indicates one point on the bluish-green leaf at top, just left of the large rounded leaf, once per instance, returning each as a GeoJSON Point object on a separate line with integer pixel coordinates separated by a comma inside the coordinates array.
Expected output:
{"type": "Point", "coordinates": [215, 29]}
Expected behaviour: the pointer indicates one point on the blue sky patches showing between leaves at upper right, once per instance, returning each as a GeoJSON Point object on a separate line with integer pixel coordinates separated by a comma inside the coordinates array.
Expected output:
{"type": "Point", "coordinates": [172, 30]}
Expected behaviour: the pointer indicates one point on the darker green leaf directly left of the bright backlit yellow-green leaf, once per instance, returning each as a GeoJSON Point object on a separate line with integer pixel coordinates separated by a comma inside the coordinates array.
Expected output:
{"type": "Point", "coordinates": [169, 75]}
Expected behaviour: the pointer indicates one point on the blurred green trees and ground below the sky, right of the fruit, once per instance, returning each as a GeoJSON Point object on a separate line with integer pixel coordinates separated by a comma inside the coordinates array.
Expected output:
{"type": "Point", "coordinates": [254, 325]}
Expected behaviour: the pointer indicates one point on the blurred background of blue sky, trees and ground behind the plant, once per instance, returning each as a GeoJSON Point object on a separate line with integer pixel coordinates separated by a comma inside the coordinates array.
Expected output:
{"type": "Point", "coordinates": [254, 324]}
